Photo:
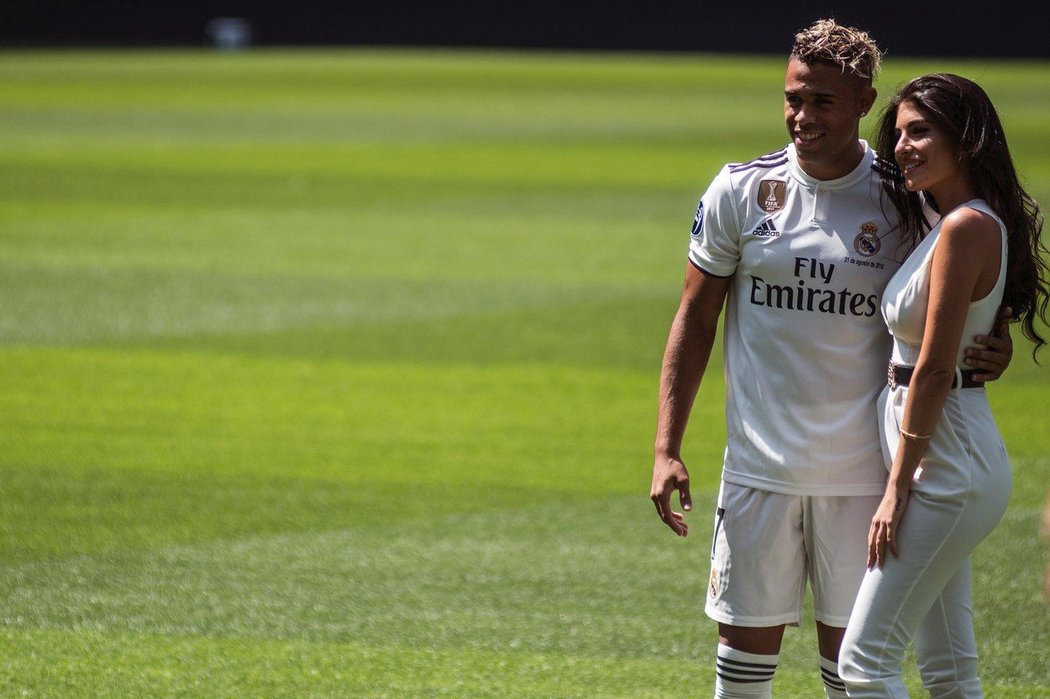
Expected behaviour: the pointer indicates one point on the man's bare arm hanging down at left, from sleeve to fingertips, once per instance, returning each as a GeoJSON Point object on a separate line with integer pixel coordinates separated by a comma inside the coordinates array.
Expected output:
{"type": "Point", "coordinates": [686, 358]}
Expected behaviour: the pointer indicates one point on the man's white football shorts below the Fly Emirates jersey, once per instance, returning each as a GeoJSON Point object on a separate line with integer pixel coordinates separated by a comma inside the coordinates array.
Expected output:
{"type": "Point", "coordinates": [768, 546]}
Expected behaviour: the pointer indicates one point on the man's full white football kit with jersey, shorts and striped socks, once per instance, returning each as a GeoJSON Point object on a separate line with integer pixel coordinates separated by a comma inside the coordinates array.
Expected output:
{"type": "Point", "coordinates": [805, 349]}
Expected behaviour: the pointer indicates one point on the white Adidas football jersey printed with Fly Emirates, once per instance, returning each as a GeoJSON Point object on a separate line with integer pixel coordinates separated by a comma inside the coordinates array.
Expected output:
{"type": "Point", "coordinates": [806, 346]}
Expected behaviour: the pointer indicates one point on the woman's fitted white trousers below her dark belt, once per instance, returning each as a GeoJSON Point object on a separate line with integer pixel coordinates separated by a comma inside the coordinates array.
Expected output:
{"type": "Point", "coordinates": [959, 498]}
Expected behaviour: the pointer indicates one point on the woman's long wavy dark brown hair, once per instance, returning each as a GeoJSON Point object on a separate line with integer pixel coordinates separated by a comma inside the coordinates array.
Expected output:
{"type": "Point", "coordinates": [962, 110]}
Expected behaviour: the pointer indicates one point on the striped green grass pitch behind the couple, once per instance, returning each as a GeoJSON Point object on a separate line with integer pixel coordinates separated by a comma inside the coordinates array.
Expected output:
{"type": "Point", "coordinates": [333, 374]}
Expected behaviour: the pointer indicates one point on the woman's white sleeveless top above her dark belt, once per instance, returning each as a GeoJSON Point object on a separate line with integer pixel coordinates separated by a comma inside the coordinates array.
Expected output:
{"type": "Point", "coordinates": [907, 298]}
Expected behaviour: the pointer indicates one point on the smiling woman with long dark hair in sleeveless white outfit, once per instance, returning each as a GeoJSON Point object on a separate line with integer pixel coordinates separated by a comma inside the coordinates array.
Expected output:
{"type": "Point", "coordinates": [950, 475]}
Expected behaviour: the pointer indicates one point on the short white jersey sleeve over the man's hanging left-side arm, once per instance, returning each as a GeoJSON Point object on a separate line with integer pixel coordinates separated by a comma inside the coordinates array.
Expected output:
{"type": "Point", "coordinates": [715, 245]}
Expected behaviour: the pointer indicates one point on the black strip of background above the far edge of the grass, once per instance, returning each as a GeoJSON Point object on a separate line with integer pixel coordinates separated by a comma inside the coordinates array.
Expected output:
{"type": "Point", "coordinates": [967, 29]}
